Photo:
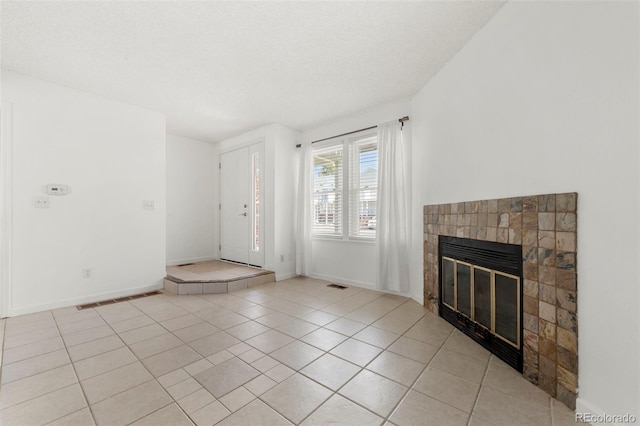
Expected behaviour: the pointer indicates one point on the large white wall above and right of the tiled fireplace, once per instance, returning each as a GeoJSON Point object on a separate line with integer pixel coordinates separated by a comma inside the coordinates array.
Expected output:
{"type": "Point", "coordinates": [544, 99]}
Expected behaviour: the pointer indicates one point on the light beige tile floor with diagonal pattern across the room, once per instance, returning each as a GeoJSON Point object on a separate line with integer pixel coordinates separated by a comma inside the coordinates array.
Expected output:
{"type": "Point", "coordinates": [292, 352]}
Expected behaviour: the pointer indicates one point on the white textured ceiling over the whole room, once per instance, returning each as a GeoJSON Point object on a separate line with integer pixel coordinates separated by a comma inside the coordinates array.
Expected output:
{"type": "Point", "coordinates": [217, 69]}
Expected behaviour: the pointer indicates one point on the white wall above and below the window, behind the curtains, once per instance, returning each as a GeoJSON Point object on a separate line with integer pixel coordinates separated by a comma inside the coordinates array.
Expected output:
{"type": "Point", "coordinates": [353, 262]}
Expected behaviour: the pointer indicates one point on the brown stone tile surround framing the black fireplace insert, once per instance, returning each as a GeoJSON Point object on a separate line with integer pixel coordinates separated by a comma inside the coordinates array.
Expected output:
{"type": "Point", "coordinates": [545, 226]}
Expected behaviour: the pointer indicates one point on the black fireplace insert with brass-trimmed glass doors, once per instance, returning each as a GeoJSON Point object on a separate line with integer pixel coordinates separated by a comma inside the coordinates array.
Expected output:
{"type": "Point", "coordinates": [481, 293]}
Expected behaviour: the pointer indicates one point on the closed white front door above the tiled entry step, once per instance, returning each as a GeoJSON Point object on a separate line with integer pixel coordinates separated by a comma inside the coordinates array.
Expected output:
{"type": "Point", "coordinates": [240, 218]}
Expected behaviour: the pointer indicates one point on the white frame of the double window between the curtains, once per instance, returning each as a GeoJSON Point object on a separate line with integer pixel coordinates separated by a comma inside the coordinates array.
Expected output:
{"type": "Point", "coordinates": [346, 143]}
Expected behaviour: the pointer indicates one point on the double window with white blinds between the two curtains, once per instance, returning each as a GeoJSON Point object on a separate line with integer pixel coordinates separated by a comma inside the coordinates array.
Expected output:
{"type": "Point", "coordinates": [345, 188]}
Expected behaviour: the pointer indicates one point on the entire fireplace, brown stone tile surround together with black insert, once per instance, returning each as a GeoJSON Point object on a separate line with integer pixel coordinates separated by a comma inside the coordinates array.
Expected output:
{"type": "Point", "coordinates": [542, 229]}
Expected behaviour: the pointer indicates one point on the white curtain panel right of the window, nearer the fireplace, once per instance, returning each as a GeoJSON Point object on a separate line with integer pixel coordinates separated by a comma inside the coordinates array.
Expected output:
{"type": "Point", "coordinates": [393, 221]}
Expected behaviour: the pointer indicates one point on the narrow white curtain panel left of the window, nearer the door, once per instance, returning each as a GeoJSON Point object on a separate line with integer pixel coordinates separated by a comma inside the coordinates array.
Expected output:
{"type": "Point", "coordinates": [304, 216]}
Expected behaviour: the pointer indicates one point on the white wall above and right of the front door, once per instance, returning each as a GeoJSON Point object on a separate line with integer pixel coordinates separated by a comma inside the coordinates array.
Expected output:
{"type": "Point", "coordinates": [279, 192]}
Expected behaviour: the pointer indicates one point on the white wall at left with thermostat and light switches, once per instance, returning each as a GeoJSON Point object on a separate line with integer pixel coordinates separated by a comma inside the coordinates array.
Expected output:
{"type": "Point", "coordinates": [112, 156]}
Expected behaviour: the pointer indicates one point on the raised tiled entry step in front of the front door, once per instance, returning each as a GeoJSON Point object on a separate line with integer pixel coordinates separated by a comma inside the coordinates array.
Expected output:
{"type": "Point", "coordinates": [214, 277]}
